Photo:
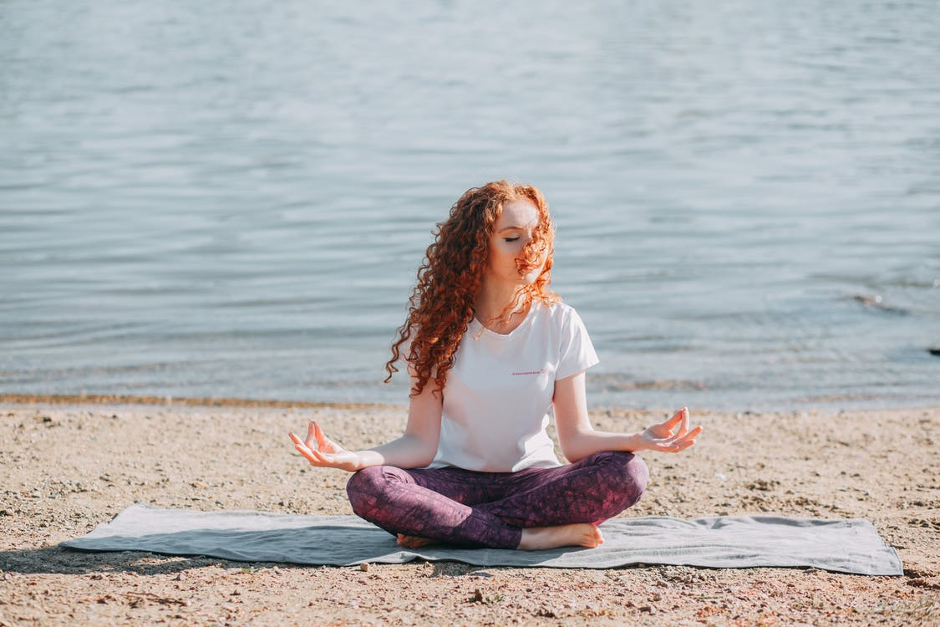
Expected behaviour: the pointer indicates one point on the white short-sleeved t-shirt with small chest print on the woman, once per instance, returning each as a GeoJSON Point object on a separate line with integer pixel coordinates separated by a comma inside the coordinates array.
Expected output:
{"type": "Point", "coordinates": [499, 392]}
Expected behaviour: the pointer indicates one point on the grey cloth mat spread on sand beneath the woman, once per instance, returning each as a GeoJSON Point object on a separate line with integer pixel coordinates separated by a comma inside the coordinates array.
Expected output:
{"type": "Point", "coordinates": [846, 546]}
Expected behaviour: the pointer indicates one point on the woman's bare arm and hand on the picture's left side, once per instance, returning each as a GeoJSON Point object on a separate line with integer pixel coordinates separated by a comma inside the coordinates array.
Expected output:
{"type": "Point", "coordinates": [415, 449]}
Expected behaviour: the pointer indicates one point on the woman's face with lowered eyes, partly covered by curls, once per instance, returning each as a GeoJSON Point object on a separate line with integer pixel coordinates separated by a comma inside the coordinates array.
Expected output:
{"type": "Point", "coordinates": [512, 231]}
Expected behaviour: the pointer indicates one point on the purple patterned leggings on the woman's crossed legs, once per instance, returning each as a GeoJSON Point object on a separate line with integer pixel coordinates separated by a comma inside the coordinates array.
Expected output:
{"type": "Point", "coordinates": [490, 509]}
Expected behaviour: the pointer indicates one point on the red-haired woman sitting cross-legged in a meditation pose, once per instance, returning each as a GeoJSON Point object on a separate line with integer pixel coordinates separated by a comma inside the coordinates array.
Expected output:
{"type": "Point", "coordinates": [489, 349]}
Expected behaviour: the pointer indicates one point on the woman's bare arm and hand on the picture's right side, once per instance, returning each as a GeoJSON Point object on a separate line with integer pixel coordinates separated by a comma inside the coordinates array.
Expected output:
{"type": "Point", "coordinates": [578, 439]}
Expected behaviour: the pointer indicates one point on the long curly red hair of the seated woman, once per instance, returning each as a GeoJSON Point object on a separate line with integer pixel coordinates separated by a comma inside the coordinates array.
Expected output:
{"type": "Point", "coordinates": [450, 277]}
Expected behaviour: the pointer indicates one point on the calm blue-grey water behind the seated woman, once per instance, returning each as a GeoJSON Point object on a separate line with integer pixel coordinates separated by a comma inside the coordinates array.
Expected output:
{"type": "Point", "coordinates": [231, 198]}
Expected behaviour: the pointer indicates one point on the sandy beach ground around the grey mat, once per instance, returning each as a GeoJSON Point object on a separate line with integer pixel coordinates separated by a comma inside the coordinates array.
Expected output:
{"type": "Point", "coordinates": [67, 467]}
